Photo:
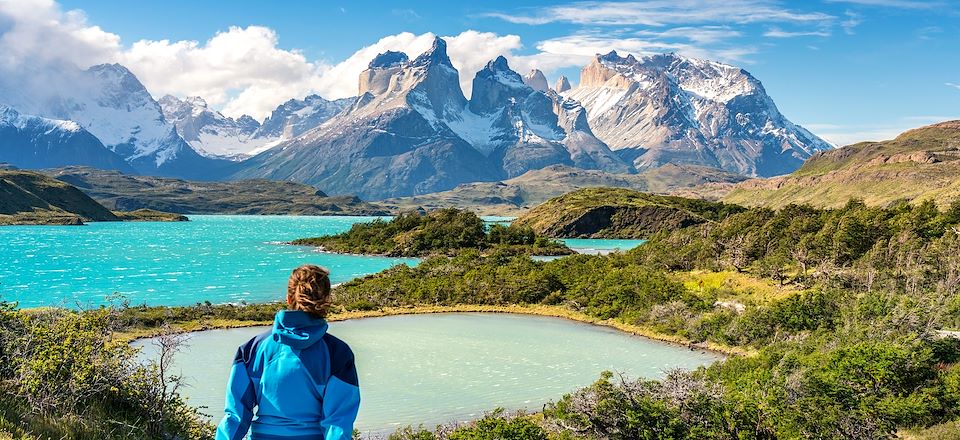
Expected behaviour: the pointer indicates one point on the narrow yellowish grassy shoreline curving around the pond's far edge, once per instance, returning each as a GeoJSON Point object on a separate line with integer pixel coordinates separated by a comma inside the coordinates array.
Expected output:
{"type": "Point", "coordinates": [516, 309]}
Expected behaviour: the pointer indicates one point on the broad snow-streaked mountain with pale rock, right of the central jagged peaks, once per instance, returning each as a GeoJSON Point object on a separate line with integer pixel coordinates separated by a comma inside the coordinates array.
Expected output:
{"type": "Point", "coordinates": [672, 109]}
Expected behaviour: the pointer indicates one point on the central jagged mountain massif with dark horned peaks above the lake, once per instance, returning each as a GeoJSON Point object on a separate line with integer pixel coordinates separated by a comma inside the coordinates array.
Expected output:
{"type": "Point", "coordinates": [411, 131]}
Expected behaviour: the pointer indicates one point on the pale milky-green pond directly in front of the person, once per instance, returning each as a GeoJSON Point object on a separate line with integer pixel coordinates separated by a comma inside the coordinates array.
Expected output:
{"type": "Point", "coordinates": [450, 367]}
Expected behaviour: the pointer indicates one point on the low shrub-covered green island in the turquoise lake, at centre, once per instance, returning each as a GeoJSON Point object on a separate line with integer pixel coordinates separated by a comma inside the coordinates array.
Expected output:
{"type": "Point", "coordinates": [444, 231]}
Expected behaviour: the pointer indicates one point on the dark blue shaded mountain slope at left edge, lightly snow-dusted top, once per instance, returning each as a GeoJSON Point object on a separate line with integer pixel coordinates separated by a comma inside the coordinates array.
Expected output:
{"type": "Point", "coordinates": [28, 141]}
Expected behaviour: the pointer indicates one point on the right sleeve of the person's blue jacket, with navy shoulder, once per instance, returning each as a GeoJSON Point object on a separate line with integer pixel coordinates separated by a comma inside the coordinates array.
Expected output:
{"type": "Point", "coordinates": [341, 398]}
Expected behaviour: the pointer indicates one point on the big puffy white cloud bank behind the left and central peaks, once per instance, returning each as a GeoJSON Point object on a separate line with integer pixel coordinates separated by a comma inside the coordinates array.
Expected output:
{"type": "Point", "coordinates": [240, 70]}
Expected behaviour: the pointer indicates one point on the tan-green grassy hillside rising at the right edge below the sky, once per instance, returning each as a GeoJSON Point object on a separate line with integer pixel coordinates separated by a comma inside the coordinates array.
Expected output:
{"type": "Point", "coordinates": [918, 165]}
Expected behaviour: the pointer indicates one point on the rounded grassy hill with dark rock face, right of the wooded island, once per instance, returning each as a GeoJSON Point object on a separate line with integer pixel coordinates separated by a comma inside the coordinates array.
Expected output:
{"type": "Point", "coordinates": [618, 213]}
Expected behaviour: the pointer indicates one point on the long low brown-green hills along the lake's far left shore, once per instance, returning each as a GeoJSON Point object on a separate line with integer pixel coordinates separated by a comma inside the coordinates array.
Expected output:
{"type": "Point", "coordinates": [126, 192]}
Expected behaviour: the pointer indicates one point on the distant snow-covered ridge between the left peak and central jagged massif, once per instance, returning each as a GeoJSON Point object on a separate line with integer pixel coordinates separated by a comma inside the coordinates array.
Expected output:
{"type": "Point", "coordinates": [208, 131]}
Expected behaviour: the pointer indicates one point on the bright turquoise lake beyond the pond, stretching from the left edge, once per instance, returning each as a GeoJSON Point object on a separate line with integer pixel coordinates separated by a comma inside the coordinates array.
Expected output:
{"type": "Point", "coordinates": [220, 259]}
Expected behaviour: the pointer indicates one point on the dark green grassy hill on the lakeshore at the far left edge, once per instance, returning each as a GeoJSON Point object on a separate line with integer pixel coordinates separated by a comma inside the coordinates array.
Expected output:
{"type": "Point", "coordinates": [32, 198]}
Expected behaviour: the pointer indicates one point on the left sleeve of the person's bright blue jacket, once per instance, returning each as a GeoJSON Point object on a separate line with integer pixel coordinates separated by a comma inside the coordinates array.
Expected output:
{"type": "Point", "coordinates": [239, 403]}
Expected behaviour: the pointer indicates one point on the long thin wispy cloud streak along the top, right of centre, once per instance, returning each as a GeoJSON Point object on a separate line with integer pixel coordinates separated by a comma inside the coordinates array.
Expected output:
{"type": "Point", "coordinates": [663, 12]}
